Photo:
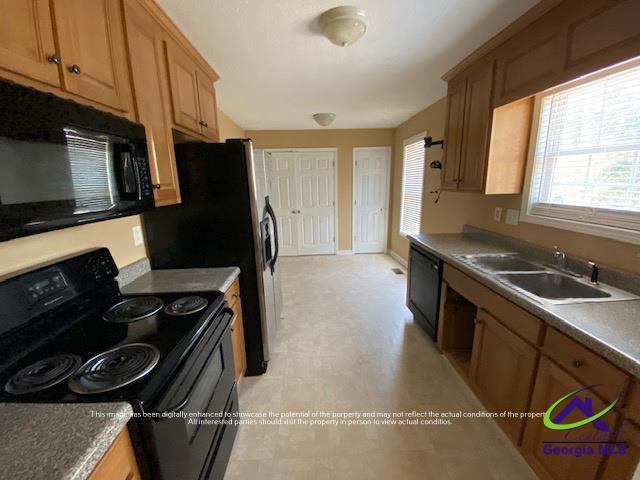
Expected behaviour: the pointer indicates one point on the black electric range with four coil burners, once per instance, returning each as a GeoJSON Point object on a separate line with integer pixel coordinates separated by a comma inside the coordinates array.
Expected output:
{"type": "Point", "coordinates": [67, 334]}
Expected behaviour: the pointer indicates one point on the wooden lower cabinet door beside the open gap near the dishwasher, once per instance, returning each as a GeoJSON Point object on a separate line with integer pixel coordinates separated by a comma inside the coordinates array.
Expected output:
{"type": "Point", "coordinates": [502, 369]}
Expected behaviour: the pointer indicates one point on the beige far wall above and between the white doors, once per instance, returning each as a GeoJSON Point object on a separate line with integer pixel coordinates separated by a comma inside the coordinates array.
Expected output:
{"type": "Point", "coordinates": [344, 141]}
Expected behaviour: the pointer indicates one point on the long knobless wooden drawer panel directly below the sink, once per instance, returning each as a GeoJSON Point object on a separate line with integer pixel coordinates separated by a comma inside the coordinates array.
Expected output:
{"type": "Point", "coordinates": [512, 316]}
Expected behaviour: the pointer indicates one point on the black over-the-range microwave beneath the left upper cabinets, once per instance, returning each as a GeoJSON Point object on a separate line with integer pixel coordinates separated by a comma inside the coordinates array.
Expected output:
{"type": "Point", "coordinates": [64, 164]}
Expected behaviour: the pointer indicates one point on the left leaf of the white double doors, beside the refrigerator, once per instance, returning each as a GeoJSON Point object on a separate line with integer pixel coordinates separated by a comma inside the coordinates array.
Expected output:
{"type": "Point", "coordinates": [284, 199]}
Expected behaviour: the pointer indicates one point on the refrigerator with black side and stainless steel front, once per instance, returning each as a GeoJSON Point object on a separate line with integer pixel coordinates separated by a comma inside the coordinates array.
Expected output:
{"type": "Point", "coordinates": [225, 219]}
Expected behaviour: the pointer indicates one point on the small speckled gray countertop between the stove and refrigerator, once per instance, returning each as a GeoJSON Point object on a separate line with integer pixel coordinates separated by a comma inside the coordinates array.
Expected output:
{"type": "Point", "coordinates": [183, 280]}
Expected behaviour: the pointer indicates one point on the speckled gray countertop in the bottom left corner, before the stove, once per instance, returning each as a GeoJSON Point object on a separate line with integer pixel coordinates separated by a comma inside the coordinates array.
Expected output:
{"type": "Point", "coordinates": [57, 442]}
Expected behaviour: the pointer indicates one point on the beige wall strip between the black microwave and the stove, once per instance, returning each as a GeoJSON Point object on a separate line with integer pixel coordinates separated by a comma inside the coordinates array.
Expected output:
{"type": "Point", "coordinates": [116, 235]}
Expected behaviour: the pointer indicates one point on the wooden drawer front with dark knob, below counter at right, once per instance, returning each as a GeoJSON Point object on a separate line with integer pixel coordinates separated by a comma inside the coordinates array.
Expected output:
{"type": "Point", "coordinates": [586, 366]}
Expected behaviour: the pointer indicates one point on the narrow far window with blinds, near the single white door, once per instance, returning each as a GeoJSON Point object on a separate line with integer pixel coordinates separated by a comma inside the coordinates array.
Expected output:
{"type": "Point", "coordinates": [412, 182]}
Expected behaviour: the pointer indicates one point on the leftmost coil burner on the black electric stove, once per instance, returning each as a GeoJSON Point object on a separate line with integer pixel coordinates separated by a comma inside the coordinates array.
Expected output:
{"type": "Point", "coordinates": [43, 374]}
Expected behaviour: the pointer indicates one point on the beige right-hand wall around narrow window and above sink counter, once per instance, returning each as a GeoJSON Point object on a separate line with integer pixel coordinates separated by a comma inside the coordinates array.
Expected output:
{"type": "Point", "coordinates": [455, 209]}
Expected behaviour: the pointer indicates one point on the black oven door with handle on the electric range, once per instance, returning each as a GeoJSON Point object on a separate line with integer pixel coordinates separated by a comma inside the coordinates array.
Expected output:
{"type": "Point", "coordinates": [185, 433]}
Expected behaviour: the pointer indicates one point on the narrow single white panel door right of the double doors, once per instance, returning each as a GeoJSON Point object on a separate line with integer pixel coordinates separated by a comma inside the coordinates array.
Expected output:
{"type": "Point", "coordinates": [371, 180]}
